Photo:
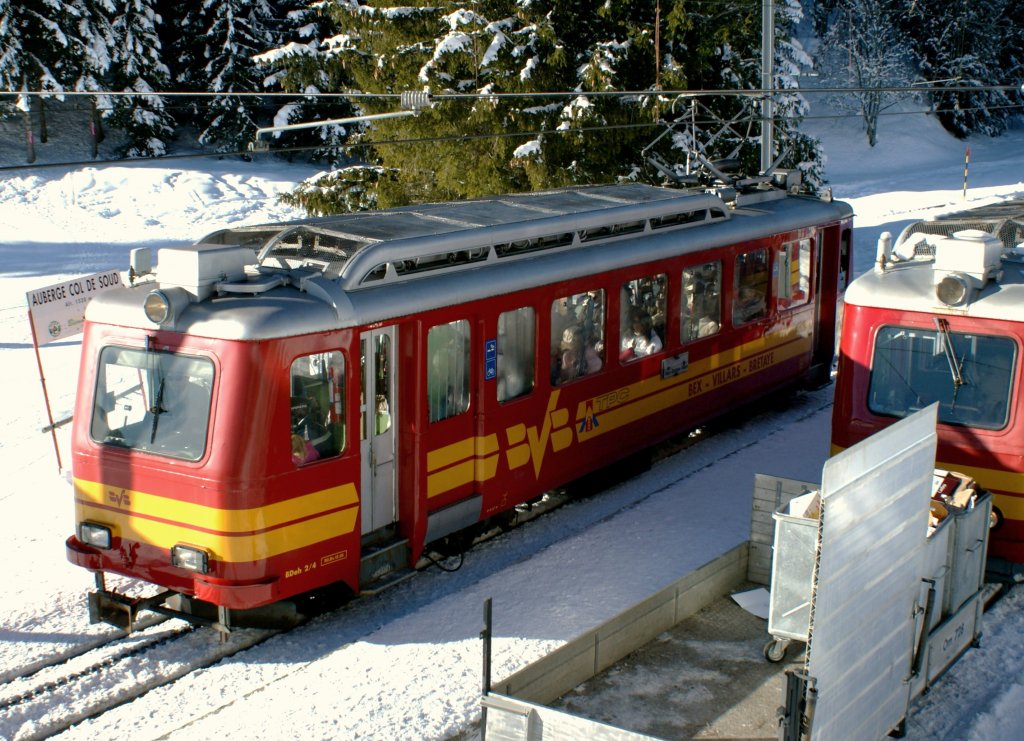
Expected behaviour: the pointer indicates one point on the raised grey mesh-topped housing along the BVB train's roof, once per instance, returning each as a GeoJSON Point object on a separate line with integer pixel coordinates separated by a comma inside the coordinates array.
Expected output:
{"type": "Point", "coordinates": [367, 249]}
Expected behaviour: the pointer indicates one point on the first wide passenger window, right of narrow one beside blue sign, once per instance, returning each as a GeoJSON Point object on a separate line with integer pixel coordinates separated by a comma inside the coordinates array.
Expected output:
{"type": "Point", "coordinates": [577, 336]}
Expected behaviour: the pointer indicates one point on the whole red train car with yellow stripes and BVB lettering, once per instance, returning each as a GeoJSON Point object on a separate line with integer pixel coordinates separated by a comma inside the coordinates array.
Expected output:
{"type": "Point", "coordinates": [282, 408]}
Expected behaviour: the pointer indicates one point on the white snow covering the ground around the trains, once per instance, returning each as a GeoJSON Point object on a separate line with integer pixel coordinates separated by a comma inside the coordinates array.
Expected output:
{"type": "Point", "coordinates": [407, 665]}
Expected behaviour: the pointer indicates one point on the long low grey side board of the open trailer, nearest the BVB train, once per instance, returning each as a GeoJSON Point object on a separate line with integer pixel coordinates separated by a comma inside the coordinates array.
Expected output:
{"type": "Point", "coordinates": [581, 660]}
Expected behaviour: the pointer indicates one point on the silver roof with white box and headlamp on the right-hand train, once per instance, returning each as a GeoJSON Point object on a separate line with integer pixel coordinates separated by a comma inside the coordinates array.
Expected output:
{"type": "Point", "coordinates": [982, 253]}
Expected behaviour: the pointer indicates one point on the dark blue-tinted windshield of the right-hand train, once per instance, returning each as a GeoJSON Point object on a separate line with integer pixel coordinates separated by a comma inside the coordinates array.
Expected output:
{"type": "Point", "coordinates": [971, 376]}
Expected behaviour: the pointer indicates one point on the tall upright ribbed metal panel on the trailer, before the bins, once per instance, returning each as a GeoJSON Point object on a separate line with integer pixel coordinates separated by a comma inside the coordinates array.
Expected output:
{"type": "Point", "coordinates": [874, 526]}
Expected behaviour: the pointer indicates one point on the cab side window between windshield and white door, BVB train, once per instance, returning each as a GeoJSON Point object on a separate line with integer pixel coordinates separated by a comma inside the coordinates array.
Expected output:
{"type": "Point", "coordinates": [318, 421]}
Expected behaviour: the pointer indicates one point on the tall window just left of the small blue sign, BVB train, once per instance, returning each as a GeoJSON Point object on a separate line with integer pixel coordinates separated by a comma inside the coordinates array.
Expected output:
{"type": "Point", "coordinates": [448, 370]}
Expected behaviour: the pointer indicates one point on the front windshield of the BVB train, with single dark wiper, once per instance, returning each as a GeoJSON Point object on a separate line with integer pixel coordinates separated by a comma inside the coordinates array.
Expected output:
{"type": "Point", "coordinates": [153, 402]}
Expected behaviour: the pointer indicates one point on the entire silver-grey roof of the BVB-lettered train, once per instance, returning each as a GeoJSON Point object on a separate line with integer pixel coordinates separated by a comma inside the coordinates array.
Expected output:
{"type": "Point", "coordinates": [352, 270]}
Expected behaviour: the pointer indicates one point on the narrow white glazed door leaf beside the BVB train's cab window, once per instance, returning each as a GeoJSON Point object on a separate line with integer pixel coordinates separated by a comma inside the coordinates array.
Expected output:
{"type": "Point", "coordinates": [379, 422]}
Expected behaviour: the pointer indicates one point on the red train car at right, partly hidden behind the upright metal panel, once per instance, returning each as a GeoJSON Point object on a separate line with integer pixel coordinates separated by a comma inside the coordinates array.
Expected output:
{"type": "Point", "coordinates": [940, 320]}
